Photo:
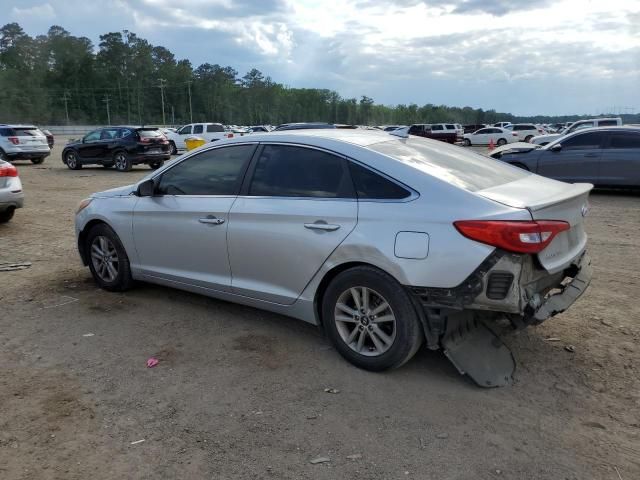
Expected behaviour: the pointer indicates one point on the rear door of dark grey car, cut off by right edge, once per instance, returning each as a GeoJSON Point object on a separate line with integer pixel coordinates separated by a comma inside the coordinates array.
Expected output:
{"type": "Point", "coordinates": [620, 160]}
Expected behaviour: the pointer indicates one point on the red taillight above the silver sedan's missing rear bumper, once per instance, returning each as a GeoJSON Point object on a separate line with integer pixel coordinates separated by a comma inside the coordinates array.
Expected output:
{"type": "Point", "coordinates": [513, 236]}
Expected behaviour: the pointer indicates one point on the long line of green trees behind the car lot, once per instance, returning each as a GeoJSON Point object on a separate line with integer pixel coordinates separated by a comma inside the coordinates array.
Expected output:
{"type": "Point", "coordinates": [59, 78]}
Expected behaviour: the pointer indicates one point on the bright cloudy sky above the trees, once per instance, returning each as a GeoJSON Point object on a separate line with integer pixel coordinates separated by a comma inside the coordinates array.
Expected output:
{"type": "Point", "coordinates": [519, 56]}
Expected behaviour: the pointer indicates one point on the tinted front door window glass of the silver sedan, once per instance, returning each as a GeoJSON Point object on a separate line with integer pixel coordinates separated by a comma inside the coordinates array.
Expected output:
{"type": "Point", "coordinates": [214, 172]}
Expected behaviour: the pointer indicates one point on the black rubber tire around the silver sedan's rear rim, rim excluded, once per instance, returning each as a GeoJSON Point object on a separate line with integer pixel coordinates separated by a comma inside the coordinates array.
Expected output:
{"type": "Point", "coordinates": [407, 334]}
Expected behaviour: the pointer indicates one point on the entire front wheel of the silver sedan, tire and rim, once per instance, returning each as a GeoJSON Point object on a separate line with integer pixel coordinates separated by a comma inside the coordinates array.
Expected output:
{"type": "Point", "coordinates": [108, 260]}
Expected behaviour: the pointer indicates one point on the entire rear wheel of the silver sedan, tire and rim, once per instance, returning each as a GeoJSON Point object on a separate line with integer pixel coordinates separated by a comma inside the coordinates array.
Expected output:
{"type": "Point", "coordinates": [370, 319]}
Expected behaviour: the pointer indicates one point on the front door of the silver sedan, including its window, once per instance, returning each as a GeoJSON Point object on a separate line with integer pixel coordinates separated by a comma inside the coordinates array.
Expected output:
{"type": "Point", "coordinates": [181, 233]}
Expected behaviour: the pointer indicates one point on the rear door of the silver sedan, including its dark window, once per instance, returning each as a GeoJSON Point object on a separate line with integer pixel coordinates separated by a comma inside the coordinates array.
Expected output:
{"type": "Point", "coordinates": [297, 207]}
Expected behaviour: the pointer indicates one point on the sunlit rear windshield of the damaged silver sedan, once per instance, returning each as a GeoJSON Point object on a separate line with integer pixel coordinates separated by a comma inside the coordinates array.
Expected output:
{"type": "Point", "coordinates": [452, 164]}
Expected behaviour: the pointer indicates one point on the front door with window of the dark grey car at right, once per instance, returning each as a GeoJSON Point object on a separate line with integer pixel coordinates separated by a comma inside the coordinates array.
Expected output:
{"type": "Point", "coordinates": [577, 161]}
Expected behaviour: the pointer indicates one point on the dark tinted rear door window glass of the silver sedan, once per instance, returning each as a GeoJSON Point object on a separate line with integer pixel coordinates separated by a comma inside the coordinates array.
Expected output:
{"type": "Point", "coordinates": [290, 171]}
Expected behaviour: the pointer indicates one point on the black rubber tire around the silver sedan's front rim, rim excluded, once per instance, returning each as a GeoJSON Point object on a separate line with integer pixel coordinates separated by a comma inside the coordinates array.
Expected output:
{"type": "Point", "coordinates": [122, 280]}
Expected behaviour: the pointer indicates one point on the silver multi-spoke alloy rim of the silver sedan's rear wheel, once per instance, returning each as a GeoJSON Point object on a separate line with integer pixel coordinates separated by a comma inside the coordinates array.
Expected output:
{"type": "Point", "coordinates": [365, 321]}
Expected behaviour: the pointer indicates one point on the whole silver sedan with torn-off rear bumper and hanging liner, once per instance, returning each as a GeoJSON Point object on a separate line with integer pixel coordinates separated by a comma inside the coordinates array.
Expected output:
{"type": "Point", "coordinates": [386, 242]}
